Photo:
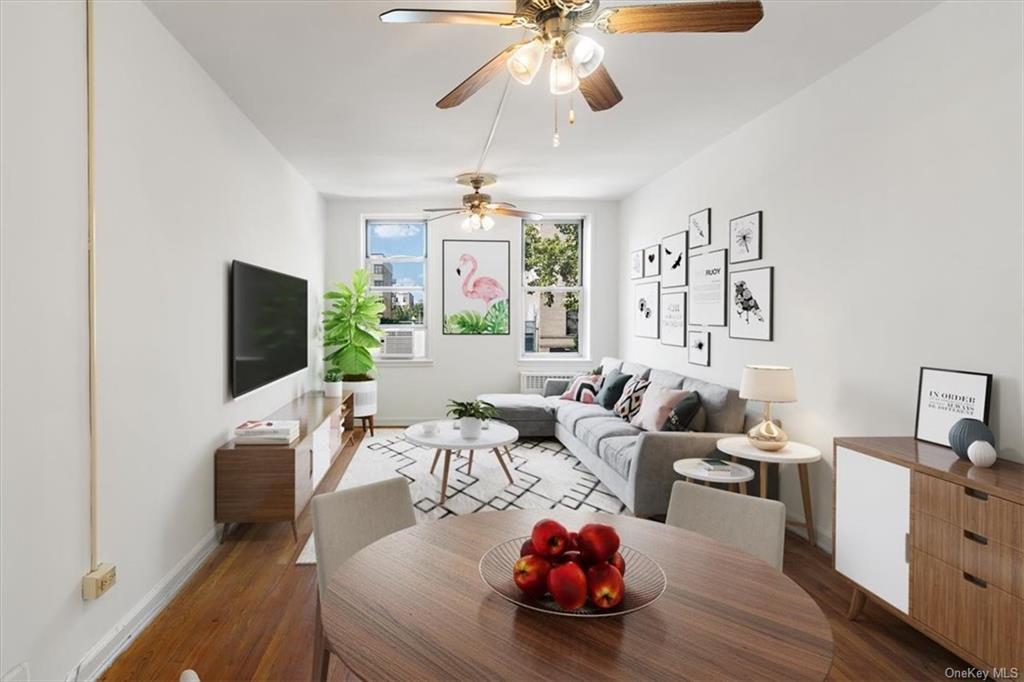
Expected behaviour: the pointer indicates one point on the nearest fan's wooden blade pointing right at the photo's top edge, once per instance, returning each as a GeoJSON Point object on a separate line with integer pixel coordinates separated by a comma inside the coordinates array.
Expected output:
{"type": "Point", "coordinates": [726, 17]}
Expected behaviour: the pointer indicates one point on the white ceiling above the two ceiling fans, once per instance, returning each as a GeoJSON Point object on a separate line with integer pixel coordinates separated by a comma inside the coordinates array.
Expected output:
{"type": "Point", "coordinates": [351, 102]}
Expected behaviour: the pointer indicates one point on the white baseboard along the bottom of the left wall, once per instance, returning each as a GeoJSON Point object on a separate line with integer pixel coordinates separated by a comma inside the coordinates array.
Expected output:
{"type": "Point", "coordinates": [100, 658]}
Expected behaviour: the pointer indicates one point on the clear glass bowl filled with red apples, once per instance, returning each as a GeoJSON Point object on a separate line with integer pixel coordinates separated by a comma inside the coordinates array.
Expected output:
{"type": "Point", "coordinates": [584, 574]}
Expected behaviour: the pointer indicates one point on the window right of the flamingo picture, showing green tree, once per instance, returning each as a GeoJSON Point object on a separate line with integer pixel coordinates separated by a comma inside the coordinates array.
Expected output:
{"type": "Point", "coordinates": [553, 288]}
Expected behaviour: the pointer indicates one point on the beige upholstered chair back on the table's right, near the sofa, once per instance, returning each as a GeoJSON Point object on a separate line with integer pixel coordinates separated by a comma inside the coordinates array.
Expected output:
{"type": "Point", "coordinates": [753, 525]}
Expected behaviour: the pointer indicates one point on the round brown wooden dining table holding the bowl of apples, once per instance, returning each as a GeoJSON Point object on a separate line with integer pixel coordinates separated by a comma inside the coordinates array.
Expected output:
{"type": "Point", "coordinates": [413, 607]}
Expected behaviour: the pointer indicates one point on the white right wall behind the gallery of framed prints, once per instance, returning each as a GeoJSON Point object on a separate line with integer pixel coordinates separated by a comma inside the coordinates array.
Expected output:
{"type": "Point", "coordinates": [891, 193]}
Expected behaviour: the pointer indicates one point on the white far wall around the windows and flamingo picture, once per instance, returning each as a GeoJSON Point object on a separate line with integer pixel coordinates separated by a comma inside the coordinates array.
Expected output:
{"type": "Point", "coordinates": [463, 367]}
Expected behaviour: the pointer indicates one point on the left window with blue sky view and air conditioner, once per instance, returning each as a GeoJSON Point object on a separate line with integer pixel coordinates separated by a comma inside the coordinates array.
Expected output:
{"type": "Point", "coordinates": [397, 259]}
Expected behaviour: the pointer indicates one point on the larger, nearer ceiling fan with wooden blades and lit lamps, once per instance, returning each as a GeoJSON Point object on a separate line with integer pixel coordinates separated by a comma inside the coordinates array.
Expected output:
{"type": "Point", "coordinates": [576, 60]}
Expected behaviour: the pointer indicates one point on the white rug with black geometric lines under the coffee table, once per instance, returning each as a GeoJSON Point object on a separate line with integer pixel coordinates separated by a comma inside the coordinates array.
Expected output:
{"type": "Point", "coordinates": [546, 476]}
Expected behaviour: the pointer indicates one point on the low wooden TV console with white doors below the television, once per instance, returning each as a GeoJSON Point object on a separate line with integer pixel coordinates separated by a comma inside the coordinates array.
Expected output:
{"type": "Point", "coordinates": [274, 484]}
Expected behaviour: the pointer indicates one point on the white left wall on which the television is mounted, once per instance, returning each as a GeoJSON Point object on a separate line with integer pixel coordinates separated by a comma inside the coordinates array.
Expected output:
{"type": "Point", "coordinates": [185, 185]}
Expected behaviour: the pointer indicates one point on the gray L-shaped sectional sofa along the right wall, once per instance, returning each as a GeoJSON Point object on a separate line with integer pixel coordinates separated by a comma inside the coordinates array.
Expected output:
{"type": "Point", "coordinates": [634, 464]}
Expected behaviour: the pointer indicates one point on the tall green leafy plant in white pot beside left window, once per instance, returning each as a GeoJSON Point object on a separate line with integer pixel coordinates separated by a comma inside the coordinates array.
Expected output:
{"type": "Point", "coordinates": [352, 331]}
